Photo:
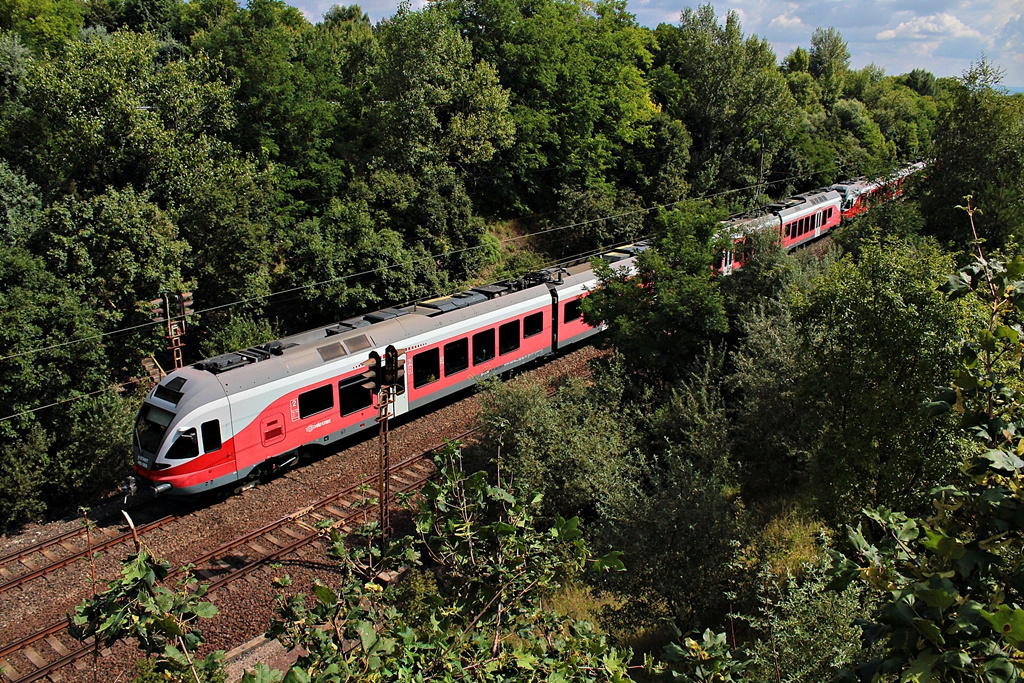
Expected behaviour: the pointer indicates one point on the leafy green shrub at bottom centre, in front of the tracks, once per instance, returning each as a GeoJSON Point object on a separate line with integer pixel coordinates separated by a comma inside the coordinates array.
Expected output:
{"type": "Point", "coordinates": [487, 622]}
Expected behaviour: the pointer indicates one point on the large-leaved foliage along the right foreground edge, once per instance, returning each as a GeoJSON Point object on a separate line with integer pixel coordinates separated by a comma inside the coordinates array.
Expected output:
{"type": "Point", "coordinates": [951, 581]}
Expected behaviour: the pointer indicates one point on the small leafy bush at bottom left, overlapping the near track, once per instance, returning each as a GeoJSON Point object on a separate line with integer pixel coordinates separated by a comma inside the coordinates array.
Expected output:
{"type": "Point", "coordinates": [162, 622]}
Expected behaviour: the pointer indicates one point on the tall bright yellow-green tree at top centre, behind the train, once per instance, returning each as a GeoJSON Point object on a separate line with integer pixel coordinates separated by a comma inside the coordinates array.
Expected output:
{"type": "Point", "coordinates": [578, 97]}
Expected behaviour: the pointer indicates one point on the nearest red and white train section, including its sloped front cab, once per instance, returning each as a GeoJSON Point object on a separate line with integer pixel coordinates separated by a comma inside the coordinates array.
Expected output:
{"type": "Point", "coordinates": [232, 417]}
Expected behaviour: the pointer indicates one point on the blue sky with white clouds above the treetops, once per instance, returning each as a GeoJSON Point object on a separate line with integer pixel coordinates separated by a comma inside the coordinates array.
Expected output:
{"type": "Point", "coordinates": [942, 36]}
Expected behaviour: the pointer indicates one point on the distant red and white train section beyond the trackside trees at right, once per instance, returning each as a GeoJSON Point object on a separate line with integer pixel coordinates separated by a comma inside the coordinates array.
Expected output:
{"type": "Point", "coordinates": [805, 218]}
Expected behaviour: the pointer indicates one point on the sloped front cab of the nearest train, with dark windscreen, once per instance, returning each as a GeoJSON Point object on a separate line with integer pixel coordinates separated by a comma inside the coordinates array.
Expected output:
{"type": "Point", "coordinates": [182, 442]}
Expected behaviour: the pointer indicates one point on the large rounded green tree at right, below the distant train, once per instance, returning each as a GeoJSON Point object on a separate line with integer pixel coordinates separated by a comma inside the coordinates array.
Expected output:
{"type": "Point", "coordinates": [875, 336]}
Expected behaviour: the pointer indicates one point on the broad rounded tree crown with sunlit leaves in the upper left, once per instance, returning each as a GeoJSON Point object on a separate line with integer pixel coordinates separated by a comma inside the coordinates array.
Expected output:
{"type": "Point", "coordinates": [112, 113]}
